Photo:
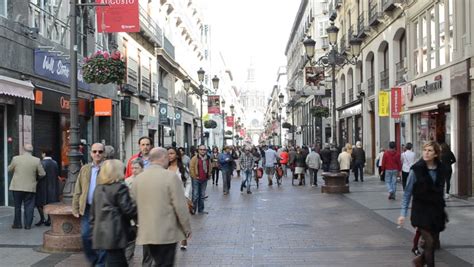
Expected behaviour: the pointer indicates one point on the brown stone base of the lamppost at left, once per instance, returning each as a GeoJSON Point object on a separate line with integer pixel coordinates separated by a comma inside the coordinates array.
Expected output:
{"type": "Point", "coordinates": [65, 233]}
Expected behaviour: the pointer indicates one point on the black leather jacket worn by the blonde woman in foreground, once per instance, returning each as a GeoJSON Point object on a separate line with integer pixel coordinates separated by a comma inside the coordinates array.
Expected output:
{"type": "Point", "coordinates": [110, 215]}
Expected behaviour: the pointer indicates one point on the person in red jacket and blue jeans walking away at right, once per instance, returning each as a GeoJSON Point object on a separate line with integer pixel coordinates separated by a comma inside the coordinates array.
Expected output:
{"type": "Point", "coordinates": [392, 168]}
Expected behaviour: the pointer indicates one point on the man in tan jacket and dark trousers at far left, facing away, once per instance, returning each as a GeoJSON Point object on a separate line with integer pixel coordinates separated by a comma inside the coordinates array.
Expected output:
{"type": "Point", "coordinates": [26, 169]}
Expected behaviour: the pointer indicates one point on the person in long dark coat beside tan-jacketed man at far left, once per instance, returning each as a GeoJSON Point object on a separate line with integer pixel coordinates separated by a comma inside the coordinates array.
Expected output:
{"type": "Point", "coordinates": [47, 188]}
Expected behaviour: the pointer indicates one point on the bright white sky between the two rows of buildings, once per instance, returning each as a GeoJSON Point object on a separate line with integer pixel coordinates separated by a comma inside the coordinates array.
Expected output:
{"type": "Point", "coordinates": [252, 30]}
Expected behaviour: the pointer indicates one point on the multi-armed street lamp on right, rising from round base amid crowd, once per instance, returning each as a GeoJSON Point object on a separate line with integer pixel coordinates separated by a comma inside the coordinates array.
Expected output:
{"type": "Point", "coordinates": [332, 59]}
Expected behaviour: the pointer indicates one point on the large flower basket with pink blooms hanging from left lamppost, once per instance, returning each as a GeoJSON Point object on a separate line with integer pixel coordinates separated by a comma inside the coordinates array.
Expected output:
{"type": "Point", "coordinates": [103, 68]}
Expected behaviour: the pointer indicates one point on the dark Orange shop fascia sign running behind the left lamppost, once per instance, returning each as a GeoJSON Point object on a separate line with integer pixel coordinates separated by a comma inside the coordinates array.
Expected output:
{"type": "Point", "coordinates": [57, 102]}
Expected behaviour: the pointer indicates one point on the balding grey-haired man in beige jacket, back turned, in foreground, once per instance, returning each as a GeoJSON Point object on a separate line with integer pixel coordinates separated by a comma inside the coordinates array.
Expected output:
{"type": "Point", "coordinates": [163, 215]}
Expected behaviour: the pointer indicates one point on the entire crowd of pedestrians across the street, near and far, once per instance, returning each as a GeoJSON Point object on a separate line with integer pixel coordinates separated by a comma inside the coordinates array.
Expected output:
{"type": "Point", "coordinates": [114, 201]}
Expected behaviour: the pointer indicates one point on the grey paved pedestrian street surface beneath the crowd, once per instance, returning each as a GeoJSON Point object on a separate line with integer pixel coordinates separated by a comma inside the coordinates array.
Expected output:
{"type": "Point", "coordinates": [284, 226]}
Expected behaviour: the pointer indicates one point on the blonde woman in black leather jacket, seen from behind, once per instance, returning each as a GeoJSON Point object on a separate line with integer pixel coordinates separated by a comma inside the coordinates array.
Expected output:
{"type": "Point", "coordinates": [112, 210]}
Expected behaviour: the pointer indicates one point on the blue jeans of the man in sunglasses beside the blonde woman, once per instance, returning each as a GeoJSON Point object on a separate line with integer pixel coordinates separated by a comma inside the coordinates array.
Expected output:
{"type": "Point", "coordinates": [95, 257]}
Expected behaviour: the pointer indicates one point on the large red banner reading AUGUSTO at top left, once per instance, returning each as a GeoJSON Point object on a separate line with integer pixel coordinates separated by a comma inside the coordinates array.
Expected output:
{"type": "Point", "coordinates": [118, 16]}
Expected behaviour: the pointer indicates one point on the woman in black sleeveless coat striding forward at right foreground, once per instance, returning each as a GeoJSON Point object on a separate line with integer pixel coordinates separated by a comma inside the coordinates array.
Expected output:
{"type": "Point", "coordinates": [426, 183]}
